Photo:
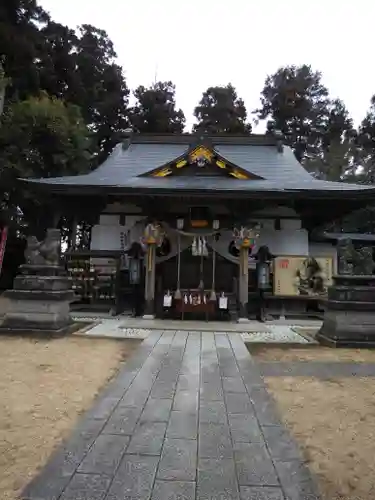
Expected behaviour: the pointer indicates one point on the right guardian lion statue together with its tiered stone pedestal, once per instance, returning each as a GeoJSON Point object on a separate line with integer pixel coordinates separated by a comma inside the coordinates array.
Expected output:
{"type": "Point", "coordinates": [349, 320]}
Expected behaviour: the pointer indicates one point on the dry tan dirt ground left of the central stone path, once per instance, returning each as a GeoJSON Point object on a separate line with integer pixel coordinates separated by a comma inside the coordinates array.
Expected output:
{"type": "Point", "coordinates": [44, 386]}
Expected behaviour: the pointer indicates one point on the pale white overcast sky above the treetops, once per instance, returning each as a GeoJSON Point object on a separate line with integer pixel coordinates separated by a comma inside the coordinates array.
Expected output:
{"type": "Point", "coordinates": [201, 43]}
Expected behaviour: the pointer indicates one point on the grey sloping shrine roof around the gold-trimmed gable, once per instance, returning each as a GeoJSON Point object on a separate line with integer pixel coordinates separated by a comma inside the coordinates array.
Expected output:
{"type": "Point", "coordinates": [274, 166]}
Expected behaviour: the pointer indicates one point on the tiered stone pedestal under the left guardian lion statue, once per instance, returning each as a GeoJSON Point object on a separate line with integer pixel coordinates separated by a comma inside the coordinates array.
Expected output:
{"type": "Point", "coordinates": [39, 301]}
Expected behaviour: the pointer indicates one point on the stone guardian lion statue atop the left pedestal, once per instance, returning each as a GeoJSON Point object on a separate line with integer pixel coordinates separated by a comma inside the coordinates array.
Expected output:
{"type": "Point", "coordinates": [46, 252]}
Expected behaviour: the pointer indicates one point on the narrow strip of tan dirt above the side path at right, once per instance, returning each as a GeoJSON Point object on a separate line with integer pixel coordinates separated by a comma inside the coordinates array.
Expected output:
{"type": "Point", "coordinates": [318, 353]}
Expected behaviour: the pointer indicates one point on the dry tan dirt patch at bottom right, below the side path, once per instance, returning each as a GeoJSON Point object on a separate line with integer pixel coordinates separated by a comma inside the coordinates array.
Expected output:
{"type": "Point", "coordinates": [334, 423]}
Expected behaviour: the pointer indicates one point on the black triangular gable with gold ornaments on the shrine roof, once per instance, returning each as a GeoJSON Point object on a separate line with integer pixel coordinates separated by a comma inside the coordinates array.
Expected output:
{"type": "Point", "coordinates": [202, 161]}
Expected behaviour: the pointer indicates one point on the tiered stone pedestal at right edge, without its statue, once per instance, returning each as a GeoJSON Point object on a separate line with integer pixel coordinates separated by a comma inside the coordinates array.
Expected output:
{"type": "Point", "coordinates": [349, 320]}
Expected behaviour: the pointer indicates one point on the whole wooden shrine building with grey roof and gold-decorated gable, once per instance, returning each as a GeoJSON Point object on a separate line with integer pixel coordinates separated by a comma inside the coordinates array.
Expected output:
{"type": "Point", "coordinates": [181, 220]}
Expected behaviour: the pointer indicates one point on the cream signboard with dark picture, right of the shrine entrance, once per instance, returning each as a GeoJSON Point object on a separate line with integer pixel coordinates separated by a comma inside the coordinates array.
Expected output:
{"type": "Point", "coordinates": [302, 276]}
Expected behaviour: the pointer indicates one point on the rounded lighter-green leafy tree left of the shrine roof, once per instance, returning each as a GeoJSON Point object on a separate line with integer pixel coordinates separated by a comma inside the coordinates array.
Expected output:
{"type": "Point", "coordinates": [39, 137]}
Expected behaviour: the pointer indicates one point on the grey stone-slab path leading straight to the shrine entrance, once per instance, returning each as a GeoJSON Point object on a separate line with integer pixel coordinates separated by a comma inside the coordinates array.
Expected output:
{"type": "Point", "coordinates": [187, 418]}
